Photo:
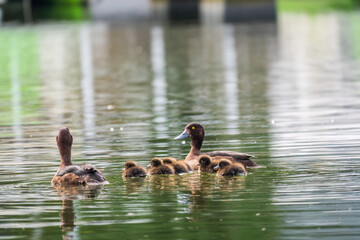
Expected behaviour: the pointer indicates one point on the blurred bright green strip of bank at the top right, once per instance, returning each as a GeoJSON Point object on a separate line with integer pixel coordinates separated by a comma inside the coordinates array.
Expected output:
{"type": "Point", "coordinates": [315, 6]}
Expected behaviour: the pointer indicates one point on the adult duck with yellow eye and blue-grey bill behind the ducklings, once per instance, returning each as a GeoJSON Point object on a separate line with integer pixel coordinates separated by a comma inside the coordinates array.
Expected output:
{"type": "Point", "coordinates": [196, 133]}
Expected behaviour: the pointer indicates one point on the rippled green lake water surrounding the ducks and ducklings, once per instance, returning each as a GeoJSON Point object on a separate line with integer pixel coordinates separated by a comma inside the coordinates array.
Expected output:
{"type": "Point", "coordinates": [287, 92]}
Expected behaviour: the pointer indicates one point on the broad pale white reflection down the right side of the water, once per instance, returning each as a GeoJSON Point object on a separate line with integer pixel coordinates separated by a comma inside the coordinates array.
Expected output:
{"type": "Point", "coordinates": [313, 108]}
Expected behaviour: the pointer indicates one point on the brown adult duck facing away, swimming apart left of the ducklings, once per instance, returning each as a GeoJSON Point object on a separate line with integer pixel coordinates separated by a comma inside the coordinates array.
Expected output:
{"type": "Point", "coordinates": [69, 174]}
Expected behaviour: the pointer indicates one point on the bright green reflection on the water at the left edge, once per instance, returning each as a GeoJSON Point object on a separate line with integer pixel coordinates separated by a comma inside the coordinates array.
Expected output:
{"type": "Point", "coordinates": [19, 66]}
